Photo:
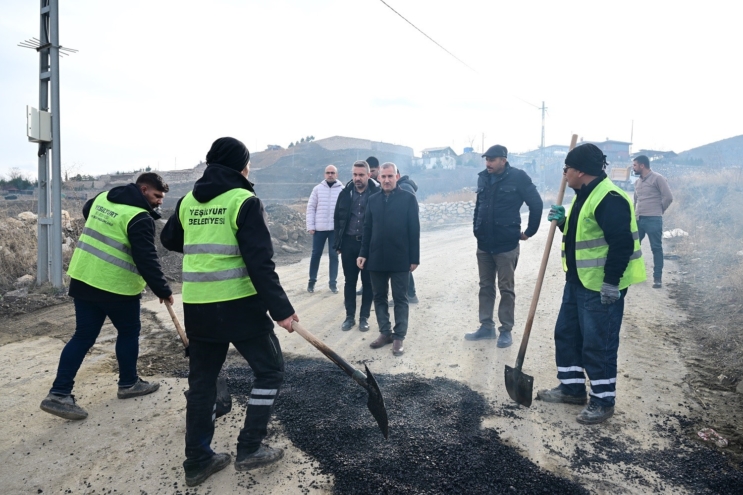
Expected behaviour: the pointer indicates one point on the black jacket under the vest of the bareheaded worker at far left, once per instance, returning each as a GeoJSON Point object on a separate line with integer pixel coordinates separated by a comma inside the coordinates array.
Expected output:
{"type": "Point", "coordinates": [141, 233]}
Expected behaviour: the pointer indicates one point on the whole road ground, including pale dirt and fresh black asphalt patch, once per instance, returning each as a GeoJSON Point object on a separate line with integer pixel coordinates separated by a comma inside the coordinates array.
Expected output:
{"type": "Point", "coordinates": [452, 426]}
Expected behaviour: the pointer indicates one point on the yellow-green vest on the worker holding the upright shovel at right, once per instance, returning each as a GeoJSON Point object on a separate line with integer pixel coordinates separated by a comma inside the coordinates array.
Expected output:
{"type": "Point", "coordinates": [591, 247]}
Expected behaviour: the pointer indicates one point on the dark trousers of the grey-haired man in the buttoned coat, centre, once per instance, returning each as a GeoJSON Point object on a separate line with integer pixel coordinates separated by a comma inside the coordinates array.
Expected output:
{"type": "Point", "coordinates": [381, 281]}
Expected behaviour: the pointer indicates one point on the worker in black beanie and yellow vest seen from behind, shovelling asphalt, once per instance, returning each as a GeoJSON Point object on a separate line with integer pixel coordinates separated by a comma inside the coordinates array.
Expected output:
{"type": "Point", "coordinates": [229, 283]}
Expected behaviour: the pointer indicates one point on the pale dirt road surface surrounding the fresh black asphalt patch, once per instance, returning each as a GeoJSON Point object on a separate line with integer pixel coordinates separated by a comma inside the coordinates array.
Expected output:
{"type": "Point", "coordinates": [136, 446]}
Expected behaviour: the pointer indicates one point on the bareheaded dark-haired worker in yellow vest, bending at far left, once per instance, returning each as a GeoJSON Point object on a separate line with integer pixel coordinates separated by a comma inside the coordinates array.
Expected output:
{"type": "Point", "coordinates": [113, 260]}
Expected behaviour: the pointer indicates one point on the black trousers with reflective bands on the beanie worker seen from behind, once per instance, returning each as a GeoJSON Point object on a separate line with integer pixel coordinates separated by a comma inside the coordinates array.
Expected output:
{"type": "Point", "coordinates": [264, 356]}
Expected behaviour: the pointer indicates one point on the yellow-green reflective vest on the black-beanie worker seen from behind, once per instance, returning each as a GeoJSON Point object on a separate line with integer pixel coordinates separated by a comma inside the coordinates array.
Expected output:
{"type": "Point", "coordinates": [213, 268]}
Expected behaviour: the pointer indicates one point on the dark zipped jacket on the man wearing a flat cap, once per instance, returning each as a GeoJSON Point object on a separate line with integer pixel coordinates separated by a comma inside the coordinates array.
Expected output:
{"type": "Point", "coordinates": [497, 219]}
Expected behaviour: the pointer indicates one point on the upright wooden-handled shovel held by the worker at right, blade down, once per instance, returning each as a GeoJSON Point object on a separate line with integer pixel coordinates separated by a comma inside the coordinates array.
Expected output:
{"type": "Point", "coordinates": [520, 385]}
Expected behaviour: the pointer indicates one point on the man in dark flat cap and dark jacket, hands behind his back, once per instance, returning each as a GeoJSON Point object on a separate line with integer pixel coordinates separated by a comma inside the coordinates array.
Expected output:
{"type": "Point", "coordinates": [501, 190]}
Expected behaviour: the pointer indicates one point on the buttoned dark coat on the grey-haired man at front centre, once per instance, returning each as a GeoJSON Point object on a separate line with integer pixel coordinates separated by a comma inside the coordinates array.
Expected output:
{"type": "Point", "coordinates": [391, 240]}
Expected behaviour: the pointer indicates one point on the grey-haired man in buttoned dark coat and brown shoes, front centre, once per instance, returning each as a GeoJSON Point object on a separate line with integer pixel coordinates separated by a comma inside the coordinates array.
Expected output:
{"type": "Point", "coordinates": [390, 250]}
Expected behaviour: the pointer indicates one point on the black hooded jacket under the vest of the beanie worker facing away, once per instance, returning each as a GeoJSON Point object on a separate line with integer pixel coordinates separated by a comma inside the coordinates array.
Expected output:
{"type": "Point", "coordinates": [243, 318]}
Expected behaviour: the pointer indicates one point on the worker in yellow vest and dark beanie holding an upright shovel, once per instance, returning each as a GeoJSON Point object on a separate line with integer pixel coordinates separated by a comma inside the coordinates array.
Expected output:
{"type": "Point", "coordinates": [601, 257]}
